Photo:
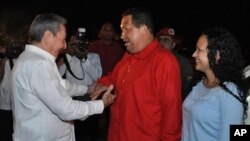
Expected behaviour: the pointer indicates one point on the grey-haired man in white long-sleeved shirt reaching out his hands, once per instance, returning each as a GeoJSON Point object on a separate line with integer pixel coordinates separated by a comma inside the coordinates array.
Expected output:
{"type": "Point", "coordinates": [43, 108]}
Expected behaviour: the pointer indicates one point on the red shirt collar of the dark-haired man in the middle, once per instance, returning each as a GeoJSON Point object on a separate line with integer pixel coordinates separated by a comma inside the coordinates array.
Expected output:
{"type": "Point", "coordinates": [146, 51]}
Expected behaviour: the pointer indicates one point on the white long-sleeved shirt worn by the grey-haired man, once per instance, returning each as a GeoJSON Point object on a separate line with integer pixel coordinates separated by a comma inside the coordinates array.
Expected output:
{"type": "Point", "coordinates": [42, 104]}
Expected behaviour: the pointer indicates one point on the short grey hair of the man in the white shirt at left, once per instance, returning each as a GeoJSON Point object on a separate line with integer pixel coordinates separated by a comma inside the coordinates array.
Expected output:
{"type": "Point", "coordinates": [45, 22]}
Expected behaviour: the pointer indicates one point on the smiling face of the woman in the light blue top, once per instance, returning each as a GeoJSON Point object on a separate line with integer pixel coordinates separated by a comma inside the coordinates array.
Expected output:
{"type": "Point", "coordinates": [201, 54]}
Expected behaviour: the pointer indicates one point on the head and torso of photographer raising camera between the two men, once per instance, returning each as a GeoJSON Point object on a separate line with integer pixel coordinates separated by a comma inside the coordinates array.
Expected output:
{"type": "Point", "coordinates": [80, 66]}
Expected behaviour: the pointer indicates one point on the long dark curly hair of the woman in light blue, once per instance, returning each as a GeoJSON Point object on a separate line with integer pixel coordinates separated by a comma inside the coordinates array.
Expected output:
{"type": "Point", "coordinates": [231, 63]}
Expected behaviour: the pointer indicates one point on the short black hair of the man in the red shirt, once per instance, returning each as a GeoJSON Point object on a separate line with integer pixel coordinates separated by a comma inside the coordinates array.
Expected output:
{"type": "Point", "coordinates": [141, 16]}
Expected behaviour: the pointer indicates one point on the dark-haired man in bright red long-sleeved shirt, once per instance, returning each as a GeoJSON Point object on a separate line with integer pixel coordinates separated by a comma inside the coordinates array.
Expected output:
{"type": "Point", "coordinates": [147, 85]}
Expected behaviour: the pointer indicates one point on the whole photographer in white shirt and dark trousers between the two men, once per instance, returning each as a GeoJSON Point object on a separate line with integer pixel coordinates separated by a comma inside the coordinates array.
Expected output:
{"type": "Point", "coordinates": [79, 66]}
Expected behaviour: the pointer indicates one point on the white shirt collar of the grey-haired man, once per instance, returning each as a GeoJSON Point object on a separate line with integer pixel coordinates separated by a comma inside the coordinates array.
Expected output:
{"type": "Point", "coordinates": [40, 51]}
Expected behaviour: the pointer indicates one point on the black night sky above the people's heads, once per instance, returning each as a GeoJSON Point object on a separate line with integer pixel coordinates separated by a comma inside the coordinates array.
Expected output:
{"type": "Point", "coordinates": [187, 17]}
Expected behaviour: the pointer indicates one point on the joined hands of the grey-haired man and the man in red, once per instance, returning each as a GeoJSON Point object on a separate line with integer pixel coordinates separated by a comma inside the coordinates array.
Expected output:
{"type": "Point", "coordinates": [99, 91]}
